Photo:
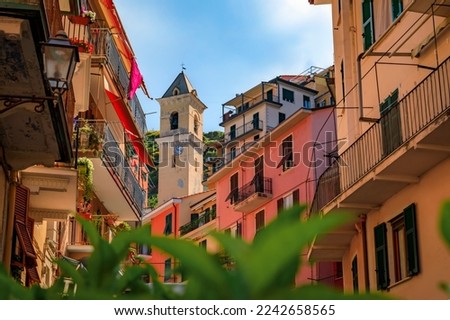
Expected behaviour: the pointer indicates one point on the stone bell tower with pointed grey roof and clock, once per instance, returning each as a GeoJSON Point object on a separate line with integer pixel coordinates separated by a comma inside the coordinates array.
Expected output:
{"type": "Point", "coordinates": [180, 171]}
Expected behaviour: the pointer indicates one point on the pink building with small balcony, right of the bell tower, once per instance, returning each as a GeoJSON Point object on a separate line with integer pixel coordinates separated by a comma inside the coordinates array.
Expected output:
{"type": "Point", "coordinates": [277, 171]}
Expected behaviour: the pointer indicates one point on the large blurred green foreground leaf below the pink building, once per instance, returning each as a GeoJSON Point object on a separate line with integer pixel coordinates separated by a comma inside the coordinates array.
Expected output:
{"type": "Point", "coordinates": [277, 248]}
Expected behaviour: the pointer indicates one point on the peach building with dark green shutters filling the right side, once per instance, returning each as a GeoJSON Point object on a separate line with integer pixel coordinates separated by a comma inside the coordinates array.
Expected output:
{"type": "Point", "coordinates": [392, 91]}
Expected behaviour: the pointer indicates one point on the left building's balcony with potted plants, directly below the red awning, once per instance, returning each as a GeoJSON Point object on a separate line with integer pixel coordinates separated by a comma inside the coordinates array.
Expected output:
{"type": "Point", "coordinates": [114, 180]}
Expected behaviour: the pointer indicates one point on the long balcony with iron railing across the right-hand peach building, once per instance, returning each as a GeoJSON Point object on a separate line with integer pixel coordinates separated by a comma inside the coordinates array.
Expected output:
{"type": "Point", "coordinates": [406, 142]}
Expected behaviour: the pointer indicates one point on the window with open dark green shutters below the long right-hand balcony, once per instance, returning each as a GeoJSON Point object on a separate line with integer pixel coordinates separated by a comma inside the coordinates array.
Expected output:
{"type": "Point", "coordinates": [403, 249]}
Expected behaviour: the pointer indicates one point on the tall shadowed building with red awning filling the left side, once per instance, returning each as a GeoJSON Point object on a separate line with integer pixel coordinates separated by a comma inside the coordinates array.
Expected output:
{"type": "Point", "coordinates": [66, 151]}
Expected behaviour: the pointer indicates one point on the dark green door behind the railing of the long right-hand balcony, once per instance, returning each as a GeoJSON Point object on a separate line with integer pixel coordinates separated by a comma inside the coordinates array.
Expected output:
{"type": "Point", "coordinates": [391, 130]}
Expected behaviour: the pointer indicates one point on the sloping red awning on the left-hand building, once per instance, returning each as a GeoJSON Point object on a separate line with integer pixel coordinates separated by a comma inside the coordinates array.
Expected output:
{"type": "Point", "coordinates": [128, 123]}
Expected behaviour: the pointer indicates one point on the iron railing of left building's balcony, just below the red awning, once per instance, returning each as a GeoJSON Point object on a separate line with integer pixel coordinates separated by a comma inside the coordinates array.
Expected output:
{"type": "Point", "coordinates": [95, 139]}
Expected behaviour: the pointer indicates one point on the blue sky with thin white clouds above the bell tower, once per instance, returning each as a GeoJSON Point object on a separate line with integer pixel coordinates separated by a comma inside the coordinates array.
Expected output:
{"type": "Point", "coordinates": [226, 46]}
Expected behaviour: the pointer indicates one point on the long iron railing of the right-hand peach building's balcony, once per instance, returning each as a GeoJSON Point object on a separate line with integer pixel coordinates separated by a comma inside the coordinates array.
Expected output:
{"type": "Point", "coordinates": [429, 100]}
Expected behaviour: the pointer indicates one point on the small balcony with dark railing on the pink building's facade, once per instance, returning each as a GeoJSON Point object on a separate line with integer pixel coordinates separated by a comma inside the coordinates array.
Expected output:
{"type": "Point", "coordinates": [253, 194]}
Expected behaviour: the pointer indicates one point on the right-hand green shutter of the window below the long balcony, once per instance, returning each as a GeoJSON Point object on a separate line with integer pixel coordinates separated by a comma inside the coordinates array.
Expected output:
{"type": "Point", "coordinates": [412, 251]}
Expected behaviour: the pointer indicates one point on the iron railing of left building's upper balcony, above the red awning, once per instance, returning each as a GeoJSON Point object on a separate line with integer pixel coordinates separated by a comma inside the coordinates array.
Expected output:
{"type": "Point", "coordinates": [104, 45]}
